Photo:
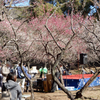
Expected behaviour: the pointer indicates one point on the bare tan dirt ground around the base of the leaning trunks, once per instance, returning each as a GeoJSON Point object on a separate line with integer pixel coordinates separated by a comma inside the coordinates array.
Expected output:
{"type": "Point", "coordinates": [92, 93]}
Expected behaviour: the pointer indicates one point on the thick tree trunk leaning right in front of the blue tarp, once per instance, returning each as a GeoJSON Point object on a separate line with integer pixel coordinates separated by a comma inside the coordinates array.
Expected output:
{"type": "Point", "coordinates": [79, 93]}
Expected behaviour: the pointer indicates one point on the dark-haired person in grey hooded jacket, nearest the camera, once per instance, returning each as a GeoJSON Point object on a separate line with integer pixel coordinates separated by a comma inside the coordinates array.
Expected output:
{"type": "Point", "coordinates": [13, 87]}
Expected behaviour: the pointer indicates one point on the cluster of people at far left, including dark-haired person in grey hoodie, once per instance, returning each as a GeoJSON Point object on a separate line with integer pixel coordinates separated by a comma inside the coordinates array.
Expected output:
{"type": "Point", "coordinates": [8, 81]}
